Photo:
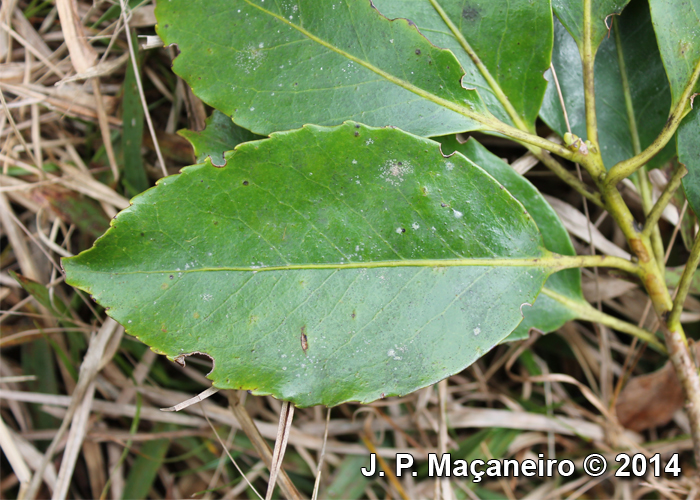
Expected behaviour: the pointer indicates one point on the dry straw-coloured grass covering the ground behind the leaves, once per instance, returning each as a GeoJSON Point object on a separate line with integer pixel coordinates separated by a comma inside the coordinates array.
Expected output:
{"type": "Point", "coordinates": [80, 402]}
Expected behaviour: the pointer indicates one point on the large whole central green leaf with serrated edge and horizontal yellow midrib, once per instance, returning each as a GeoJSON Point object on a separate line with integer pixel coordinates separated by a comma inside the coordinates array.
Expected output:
{"type": "Point", "coordinates": [322, 265]}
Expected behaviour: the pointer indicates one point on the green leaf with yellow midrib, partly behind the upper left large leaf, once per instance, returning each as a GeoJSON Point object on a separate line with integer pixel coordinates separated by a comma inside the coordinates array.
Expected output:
{"type": "Point", "coordinates": [500, 35]}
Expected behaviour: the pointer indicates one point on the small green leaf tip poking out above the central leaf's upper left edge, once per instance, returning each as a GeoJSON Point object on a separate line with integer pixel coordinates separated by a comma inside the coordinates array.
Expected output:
{"type": "Point", "coordinates": [219, 135]}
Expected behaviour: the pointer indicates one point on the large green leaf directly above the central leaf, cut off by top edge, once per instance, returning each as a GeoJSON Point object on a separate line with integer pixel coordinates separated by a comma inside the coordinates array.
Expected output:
{"type": "Point", "coordinates": [280, 65]}
